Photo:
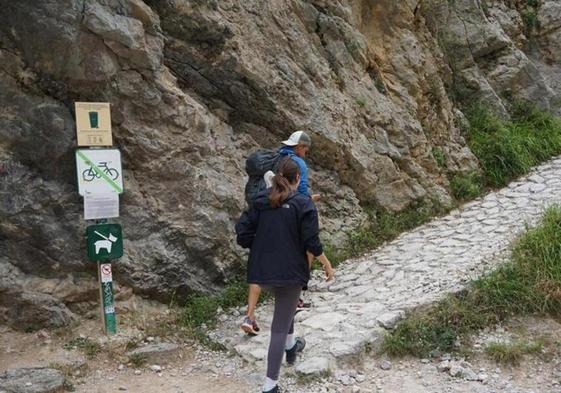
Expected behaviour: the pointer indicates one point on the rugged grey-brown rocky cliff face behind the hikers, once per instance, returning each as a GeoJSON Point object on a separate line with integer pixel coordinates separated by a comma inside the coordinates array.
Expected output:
{"type": "Point", "coordinates": [196, 85]}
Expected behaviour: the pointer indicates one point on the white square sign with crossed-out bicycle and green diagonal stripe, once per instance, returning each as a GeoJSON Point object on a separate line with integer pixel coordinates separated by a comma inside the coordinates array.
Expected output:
{"type": "Point", "coordinates": [99, 171]}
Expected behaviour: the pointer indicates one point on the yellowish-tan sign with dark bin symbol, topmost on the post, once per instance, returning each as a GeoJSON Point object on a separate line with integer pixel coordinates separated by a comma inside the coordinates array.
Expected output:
{"type": "Point", "coordinates": [93, 124]}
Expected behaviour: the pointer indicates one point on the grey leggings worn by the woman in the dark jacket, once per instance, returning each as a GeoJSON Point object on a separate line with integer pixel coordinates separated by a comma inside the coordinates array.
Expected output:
{"type": "Point", "coordinates": [286, 300]}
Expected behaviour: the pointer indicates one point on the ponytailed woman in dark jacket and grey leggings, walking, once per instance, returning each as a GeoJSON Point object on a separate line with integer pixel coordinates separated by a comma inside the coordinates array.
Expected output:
{"type": "Point", "coordinates": [279, 228]}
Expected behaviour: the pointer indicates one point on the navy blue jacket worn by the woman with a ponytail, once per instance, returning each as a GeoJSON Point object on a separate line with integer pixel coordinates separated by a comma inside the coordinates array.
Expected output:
{"type": "Point", "coordinates": [278, 239]}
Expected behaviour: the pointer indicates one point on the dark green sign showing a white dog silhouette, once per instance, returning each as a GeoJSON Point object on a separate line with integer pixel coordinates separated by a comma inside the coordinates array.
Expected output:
{"type": "Point", "coordinates": [105, 241]}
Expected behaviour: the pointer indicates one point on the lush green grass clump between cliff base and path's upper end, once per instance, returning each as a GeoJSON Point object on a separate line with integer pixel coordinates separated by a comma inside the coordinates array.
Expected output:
{"type": "Point", "coordinates": [509, 149]}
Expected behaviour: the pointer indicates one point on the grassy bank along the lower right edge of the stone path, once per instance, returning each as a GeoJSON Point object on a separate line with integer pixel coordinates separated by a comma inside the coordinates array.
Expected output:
{"type": "Point", "coordinates": [529, 283]}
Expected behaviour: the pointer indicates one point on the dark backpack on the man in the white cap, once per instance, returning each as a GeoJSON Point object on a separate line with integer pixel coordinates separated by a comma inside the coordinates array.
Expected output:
{"type": "Point", "coordinates": [256, 165]}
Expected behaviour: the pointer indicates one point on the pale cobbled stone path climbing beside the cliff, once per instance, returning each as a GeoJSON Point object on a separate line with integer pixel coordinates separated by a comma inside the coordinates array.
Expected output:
{"type": "Point", "coordinates": [372, 293]}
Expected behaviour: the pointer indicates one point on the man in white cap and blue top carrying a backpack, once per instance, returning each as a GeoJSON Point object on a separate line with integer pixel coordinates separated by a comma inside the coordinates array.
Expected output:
{"type": "Point", "coordinates": [257, 165]}
